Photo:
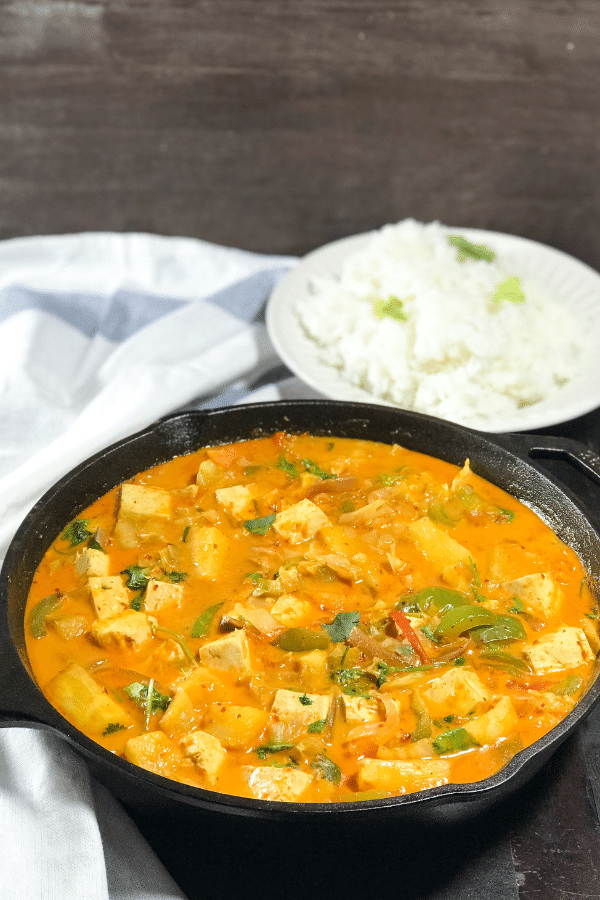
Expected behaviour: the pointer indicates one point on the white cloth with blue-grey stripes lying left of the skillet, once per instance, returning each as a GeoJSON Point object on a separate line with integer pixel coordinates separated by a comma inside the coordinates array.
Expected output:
{"type": "Point", "coordinates": [101, 335]}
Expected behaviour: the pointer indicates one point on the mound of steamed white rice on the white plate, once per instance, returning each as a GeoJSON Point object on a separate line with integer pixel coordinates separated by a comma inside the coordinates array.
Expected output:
{"type": "Point", "coordinates": [459, 354]}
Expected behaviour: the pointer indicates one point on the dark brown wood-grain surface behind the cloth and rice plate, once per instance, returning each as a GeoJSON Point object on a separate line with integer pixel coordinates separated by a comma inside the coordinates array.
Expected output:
{"type": "Point", "coordinates": [277, 126]}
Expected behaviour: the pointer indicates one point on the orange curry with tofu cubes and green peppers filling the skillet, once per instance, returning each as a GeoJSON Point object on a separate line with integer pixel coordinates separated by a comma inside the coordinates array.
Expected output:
{"type": "Point", "coordinates": [312, 619]}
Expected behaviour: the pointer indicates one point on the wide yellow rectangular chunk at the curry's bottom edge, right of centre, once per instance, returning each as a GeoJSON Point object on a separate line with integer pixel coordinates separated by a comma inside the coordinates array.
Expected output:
{"type": "Point", "coordinates": [402, 776]}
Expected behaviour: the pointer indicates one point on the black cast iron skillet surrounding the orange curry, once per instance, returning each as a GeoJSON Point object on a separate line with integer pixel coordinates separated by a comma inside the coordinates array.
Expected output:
{"type": "Point", "coordinates": [506, 460]}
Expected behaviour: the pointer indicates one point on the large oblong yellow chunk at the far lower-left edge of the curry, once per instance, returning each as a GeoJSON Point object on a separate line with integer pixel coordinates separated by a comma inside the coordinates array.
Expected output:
{"type": "Point", "coordinates": [85, 702]}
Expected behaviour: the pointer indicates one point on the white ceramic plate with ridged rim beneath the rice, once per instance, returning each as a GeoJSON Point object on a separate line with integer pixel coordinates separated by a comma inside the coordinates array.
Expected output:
{"type": "Point", "coordinates": [556, 273]}
